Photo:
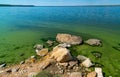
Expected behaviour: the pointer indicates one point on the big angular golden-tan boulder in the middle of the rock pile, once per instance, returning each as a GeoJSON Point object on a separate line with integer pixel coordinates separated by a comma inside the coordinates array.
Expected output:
{"type": "Point", "coordinates": [61, 54]}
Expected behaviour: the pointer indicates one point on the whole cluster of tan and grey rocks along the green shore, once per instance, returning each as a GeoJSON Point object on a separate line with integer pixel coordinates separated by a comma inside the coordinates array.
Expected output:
{"type": "Point", "coordinates": [61, 58]}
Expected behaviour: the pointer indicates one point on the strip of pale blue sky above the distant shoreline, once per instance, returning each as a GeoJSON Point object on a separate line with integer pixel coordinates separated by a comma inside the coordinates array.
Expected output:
{"type": "Point", "coordinates": [61, 2]}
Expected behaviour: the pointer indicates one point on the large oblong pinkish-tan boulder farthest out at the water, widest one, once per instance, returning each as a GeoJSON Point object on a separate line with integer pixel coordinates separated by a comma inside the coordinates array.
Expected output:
{"type": "Point", "coordinates": [69, 39]}
